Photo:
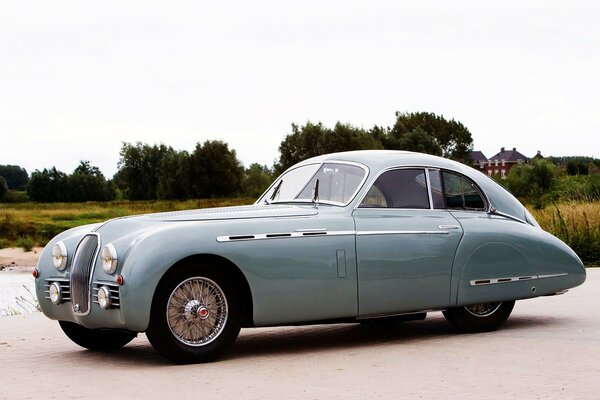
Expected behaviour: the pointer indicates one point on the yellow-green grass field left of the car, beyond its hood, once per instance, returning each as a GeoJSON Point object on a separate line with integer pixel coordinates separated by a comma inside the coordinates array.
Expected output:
{"type": "Point", "coordinates": [25, 224]}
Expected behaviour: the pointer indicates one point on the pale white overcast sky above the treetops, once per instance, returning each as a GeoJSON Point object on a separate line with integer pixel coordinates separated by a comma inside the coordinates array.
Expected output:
{"type": "Point", "coordinates": [79, 78]}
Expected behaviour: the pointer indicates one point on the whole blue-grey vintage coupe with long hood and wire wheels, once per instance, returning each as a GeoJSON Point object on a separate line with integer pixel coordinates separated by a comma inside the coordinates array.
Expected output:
{"type": "Point", "coordinates": [354, 236]}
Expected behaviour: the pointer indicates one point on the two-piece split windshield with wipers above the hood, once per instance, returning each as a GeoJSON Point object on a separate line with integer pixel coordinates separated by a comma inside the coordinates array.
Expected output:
{"type": "Point", "coordinates": [337, 183]}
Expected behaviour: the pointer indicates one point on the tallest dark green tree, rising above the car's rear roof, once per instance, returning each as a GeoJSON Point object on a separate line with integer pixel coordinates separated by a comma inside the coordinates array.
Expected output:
{"type": "Point", "coordinates": [430, 133]}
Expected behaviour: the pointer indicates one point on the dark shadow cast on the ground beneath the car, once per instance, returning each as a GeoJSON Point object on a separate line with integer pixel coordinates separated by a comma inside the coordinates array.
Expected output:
{"type": "Point", "coordinates": [314, 338]}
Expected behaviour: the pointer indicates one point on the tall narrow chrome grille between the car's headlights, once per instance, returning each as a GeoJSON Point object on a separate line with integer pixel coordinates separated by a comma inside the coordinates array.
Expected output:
{"type": "Point", "coordinates": [83, 265]}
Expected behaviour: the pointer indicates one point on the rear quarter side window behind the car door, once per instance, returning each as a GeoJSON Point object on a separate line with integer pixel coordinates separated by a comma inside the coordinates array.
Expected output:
{"type": "Point", "coordinates": [460, 193]}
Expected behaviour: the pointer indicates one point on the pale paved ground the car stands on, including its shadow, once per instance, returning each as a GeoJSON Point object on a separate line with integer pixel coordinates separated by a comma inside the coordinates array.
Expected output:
{"type": "Point", "coordinates": [548, 349]}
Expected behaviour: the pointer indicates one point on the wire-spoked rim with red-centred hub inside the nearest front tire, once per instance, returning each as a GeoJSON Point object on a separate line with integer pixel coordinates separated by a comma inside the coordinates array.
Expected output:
{"type": "Point", "coordinates": [197, 311]}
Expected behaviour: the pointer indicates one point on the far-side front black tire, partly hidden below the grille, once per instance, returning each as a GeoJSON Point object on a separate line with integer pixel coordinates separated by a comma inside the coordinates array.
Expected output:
{"type": "Point", "coordinates": [96, 339]}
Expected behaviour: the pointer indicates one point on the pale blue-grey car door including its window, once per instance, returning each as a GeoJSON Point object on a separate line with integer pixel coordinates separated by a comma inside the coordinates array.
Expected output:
{"type": "Point", "coordinates": [405, 243]}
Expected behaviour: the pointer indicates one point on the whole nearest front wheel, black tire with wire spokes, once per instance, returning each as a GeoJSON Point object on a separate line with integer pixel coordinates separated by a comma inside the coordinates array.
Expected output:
{"type": "Point", "coordinates": [196, 315]}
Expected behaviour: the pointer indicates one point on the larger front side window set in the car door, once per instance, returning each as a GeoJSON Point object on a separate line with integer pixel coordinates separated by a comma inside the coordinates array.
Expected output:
{"type": "Point", "coordinates": [400, 188]}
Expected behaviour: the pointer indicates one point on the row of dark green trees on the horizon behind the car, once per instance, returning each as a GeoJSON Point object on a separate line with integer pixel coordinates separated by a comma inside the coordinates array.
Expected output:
{"type": "Point", "coordinates": [212, 169]}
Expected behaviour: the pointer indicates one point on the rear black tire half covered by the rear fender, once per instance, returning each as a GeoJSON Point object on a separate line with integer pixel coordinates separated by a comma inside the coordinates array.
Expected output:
{"type": "Point", "coordinates": [483, 317]}
